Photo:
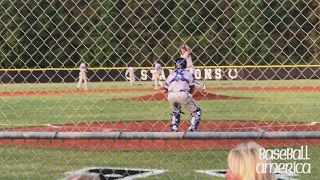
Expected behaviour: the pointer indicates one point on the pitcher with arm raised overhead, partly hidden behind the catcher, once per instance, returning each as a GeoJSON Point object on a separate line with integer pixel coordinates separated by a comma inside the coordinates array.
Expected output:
{"type": "Point", "coordinates": [186, 55]}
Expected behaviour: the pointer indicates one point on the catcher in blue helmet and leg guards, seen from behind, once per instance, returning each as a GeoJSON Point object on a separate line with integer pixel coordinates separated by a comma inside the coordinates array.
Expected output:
{"type": "Point", "coordinates": [179, 84]}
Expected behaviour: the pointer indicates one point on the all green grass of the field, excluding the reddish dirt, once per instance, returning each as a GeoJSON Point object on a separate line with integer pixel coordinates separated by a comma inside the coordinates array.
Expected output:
{"type": "Point", "coordinates": [38, 163]}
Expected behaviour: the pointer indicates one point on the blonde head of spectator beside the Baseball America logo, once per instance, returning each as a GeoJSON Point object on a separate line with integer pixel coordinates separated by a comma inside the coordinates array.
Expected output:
{"type": "Point", "coordinates": [243, 162]}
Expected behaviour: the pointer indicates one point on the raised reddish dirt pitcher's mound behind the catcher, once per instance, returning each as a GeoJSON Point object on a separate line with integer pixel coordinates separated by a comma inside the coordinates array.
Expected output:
{"type": "Point", "coordinates": [198, 95]}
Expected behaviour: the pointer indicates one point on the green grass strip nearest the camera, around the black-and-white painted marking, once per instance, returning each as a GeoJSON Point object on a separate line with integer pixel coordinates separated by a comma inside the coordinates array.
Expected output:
{"type": "Point", "coordinates": [38, 163]}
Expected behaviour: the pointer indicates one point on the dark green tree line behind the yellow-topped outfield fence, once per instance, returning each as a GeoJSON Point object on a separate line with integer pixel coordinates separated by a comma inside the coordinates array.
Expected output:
{"type": "Point", "coordinates": [113, 33]}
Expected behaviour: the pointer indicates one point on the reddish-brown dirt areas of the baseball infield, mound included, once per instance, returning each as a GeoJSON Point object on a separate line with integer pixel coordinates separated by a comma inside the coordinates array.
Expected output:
{"type": "Point", "coordinates": [163, 126]}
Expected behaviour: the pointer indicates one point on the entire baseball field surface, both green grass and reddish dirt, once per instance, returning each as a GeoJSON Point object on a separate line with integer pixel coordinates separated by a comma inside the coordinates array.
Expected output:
{"type": "Point", "coordinates": [227, 106]}
